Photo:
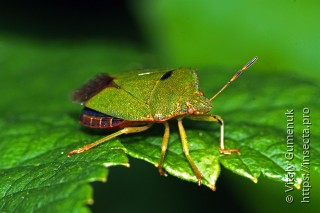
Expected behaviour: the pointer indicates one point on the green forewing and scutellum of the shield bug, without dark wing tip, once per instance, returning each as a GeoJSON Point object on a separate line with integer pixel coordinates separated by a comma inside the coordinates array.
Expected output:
{"type": "Point", "coordinates": [128, 97]}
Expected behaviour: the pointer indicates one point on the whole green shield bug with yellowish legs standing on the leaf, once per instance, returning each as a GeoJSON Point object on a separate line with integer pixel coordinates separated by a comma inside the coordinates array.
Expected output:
{"type": "Point", "coordinates": [134, 102]}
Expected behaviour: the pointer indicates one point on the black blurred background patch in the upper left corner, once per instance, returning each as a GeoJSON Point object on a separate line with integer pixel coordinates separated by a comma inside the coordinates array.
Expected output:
{"type": "Point", "coordinates": [70, 20]}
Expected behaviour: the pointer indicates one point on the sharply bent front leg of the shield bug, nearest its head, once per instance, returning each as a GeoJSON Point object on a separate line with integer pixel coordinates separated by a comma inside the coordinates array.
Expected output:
{"type": "Point", "coordinates": [220, 121]}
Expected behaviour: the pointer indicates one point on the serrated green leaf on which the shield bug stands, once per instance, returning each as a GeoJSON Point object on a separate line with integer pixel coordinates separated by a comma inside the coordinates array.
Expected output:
{"type": "Point", "coordinates": [39, 126]}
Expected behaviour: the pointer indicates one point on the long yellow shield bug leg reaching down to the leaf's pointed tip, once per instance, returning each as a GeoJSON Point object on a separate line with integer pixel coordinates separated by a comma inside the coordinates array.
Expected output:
{"type": "Point", "coordinates": [185, 148]}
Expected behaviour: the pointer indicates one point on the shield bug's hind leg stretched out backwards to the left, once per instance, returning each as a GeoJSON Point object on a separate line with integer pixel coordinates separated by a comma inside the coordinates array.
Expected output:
{"type": "Point", "coordinates": [126, 130]}
